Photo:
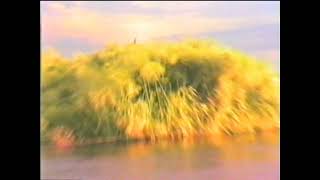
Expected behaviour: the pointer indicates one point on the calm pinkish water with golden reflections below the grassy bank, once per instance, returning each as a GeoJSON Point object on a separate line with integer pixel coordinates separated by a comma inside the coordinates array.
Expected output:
{"type": "Point", "coordinates": [220, 159]}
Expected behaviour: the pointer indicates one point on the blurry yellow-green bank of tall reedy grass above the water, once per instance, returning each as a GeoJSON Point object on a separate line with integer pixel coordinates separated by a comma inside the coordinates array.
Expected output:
{"type": "Point", "coordinates": [157, 90]}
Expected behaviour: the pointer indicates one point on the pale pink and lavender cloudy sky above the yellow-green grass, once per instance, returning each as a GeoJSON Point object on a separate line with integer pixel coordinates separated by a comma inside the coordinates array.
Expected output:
{"type": "Point", "coordinates": [72, 27]}
